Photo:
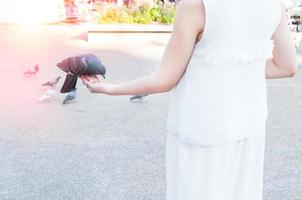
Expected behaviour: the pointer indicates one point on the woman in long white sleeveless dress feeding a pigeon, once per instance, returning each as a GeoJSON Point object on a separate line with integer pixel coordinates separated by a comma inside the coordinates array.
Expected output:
{"type": "Point", "coordinates": [216, 63]}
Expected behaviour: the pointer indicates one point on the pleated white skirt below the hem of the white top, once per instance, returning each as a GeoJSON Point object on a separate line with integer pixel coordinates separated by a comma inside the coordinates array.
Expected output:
{"type": "Point", "coordinates": [224, 172]}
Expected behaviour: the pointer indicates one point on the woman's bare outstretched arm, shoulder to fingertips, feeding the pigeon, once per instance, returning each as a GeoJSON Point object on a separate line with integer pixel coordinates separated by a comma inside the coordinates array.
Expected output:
{"type": "Point", "coordinates": [189, 23]}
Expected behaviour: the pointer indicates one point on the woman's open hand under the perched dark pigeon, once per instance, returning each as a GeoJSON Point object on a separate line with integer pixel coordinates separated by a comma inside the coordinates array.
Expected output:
{"type": "Point", "coordinates": [97, 85]}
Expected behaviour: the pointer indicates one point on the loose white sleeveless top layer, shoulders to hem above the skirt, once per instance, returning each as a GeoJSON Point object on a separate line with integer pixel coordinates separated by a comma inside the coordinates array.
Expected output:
{"type": "Point", "coordinates": [222, 97]}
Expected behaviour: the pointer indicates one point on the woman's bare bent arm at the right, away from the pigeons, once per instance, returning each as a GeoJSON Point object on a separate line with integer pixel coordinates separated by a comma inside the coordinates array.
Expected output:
{"type": "Point", "coordinates": [284, 61]}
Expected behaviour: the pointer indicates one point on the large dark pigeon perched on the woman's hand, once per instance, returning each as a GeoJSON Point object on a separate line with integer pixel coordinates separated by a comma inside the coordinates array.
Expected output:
{"type": "Point", "coordinates": [86, 64]}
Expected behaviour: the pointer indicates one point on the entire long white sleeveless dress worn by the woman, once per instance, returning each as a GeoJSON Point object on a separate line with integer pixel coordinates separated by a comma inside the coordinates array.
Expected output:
{"type": "Point", "coordinates": [218, 110]}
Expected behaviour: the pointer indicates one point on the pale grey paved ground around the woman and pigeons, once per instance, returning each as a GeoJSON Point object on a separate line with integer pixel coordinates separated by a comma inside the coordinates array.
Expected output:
{"type": "Point", "coordinates": [103, 147]}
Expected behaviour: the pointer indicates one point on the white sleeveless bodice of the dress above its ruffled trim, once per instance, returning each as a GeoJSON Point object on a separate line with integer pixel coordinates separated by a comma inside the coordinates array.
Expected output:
{"type": "Point", "coordinates": [238, 27]}
